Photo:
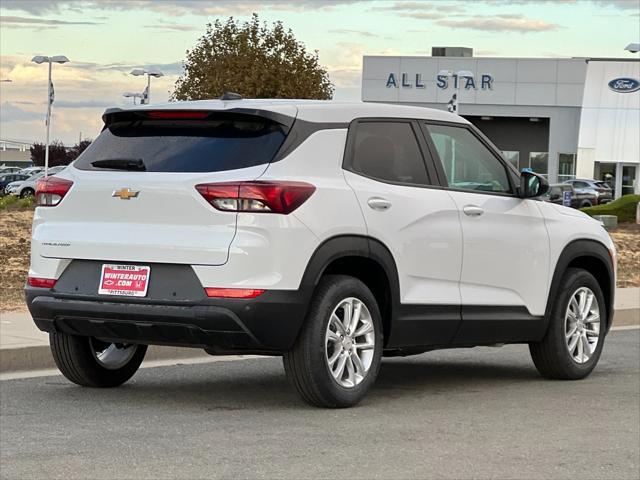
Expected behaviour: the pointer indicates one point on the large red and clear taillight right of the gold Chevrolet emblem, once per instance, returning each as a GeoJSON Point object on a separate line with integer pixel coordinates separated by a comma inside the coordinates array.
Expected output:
{"type": "Point", "coordinates": [256, 197]}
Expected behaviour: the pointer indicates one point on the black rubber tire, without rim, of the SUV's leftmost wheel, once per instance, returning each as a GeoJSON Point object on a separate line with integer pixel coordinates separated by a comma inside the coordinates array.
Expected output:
{"type": "Point", "coordinates": [76, 360]}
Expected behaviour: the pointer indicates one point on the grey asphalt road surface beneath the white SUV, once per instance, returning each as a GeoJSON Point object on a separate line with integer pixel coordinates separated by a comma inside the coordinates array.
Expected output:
{"type": "Point", "coordinates": [468, 413]}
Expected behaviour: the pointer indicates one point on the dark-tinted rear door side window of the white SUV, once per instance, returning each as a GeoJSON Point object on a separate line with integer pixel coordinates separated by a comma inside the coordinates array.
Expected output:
{"type": "Point", "coordinates": [388, 151]}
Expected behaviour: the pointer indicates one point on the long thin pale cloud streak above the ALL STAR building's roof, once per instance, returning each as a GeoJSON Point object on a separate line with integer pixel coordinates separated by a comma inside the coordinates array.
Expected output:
{"type": "Point", "coordinates": [501, 23]}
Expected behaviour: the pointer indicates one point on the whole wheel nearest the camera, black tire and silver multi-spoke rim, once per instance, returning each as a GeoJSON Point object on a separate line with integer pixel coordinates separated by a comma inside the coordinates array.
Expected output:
{"type": "Point", "coordinates": [337, 355]}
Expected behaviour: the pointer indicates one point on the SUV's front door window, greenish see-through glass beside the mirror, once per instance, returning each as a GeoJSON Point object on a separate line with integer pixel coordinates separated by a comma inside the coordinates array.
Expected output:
{"type": "Point", "coordinates": [467, 163]}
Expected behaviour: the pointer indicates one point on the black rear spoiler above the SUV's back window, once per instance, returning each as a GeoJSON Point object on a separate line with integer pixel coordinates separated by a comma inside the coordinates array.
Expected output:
{"type": "Point", "coordinates": [118, 114]}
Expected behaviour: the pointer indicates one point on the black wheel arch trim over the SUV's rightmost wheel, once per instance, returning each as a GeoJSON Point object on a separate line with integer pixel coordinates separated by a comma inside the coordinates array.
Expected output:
{"type": "Point", "coordinates": [589, 249]}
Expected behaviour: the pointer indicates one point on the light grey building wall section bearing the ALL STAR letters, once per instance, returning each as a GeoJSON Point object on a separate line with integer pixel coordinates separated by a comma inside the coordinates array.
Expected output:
{"type": "Point", "coordinates": [545, 88]}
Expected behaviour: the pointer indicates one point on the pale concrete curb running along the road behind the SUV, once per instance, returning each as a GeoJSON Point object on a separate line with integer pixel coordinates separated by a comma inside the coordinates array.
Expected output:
{"type": "Point", "coordinates": [39, 357]}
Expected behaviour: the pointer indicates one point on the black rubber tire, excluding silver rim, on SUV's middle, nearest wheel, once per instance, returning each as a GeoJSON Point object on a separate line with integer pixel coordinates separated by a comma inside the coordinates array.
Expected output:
{"type": "Point", "coordinates": [306, 365]}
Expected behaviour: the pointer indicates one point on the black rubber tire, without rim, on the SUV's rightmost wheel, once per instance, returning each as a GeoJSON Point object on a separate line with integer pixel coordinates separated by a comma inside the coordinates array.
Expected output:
{"type": "Point", "coordinates": [551, 355]}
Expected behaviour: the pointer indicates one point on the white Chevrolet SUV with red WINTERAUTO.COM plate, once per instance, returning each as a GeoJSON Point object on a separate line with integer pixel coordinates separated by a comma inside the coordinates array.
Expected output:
{"type": "Point", "coordinates": [330, 234]}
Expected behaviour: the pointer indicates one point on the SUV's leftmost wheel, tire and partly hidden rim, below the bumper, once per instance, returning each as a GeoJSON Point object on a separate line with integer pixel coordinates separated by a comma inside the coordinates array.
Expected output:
{"type": "Point", "coordinates": [90, 362]}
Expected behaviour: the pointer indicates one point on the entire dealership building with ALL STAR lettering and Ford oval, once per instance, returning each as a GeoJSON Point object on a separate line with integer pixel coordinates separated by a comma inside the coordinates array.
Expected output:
{"type": "Point", "coordinates": [562, 117]}
